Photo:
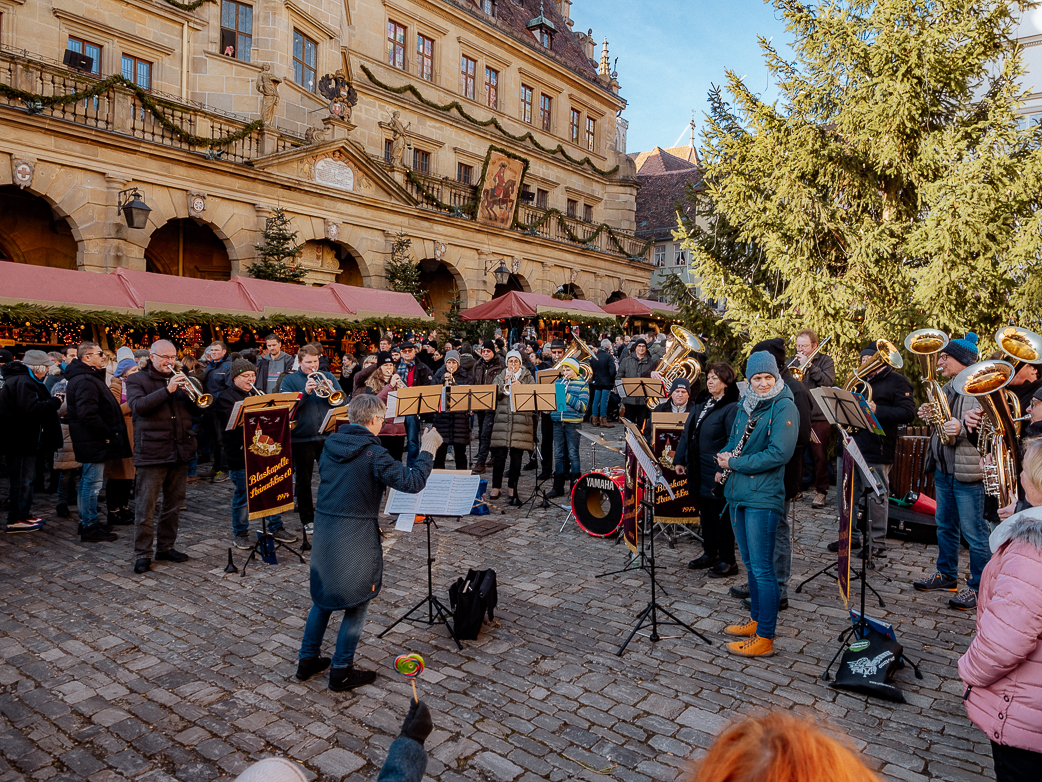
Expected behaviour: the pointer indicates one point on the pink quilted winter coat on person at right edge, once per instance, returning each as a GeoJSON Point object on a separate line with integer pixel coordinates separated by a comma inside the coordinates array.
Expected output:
{"type": "Point", "coordinates": [1003, 667]}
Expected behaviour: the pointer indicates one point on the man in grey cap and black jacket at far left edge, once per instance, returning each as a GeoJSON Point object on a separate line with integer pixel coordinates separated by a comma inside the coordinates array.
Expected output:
{"type": "Point", "coordinates": [30, 423]}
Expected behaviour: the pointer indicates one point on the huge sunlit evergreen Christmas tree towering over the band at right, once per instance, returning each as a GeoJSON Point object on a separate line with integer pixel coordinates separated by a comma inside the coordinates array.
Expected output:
{"type": "Point", "coordinates": [890, 187]}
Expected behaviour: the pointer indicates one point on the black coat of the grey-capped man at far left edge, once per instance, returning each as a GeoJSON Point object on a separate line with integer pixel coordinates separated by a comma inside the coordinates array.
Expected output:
{"type": "Point", "coordinates": [29, 414]}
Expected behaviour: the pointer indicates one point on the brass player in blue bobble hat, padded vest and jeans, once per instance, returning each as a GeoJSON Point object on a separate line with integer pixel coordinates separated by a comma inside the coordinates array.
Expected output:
{"type": "Point", "coordinates": [959, 484]}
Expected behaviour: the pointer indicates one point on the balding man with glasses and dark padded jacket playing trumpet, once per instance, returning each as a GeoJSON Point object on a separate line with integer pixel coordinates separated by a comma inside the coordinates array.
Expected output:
{"type": "Point", "coordinates": [164, 444]}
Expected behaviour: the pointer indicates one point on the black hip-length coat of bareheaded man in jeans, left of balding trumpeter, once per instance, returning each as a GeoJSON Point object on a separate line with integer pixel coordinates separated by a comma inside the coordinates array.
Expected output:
{"type": "Point", "coordinates": [96, 425]}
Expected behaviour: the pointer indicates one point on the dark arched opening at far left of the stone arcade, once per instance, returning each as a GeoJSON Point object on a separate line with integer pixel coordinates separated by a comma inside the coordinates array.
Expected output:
{"type": "Point", "coordinates": [34, 230]}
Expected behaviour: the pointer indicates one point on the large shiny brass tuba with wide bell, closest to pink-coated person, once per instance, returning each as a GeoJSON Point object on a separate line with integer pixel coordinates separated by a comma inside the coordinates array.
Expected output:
{"type": "Point", "coordinates": [987, 380]}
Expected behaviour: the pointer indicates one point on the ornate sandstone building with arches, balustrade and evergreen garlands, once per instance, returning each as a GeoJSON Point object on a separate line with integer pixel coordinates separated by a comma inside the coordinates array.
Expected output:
{"type": "Point", "coordinates": [487, 132]}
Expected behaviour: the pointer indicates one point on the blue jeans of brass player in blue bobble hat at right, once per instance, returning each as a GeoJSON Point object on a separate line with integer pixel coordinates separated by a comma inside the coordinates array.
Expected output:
{"type": "Point", "coordinates": [960, 507]}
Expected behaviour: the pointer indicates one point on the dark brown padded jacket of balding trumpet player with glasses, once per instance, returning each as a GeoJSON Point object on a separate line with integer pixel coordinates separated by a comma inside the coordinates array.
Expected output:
{"type": "Point", "coordinates": [163, 431]}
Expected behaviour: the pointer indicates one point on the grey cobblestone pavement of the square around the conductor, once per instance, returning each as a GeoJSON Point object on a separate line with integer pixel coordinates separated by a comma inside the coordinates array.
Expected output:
{"type": "Point", "coordinates": [187, 672]}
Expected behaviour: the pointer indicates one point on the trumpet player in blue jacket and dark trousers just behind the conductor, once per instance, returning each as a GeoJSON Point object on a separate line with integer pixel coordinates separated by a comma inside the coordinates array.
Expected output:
{"type": "Point", "coordinates": [308, 438]}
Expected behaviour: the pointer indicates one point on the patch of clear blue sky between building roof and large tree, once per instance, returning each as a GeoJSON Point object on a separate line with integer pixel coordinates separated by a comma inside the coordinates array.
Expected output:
{"type": "Point", "coordinates": [671, 53]}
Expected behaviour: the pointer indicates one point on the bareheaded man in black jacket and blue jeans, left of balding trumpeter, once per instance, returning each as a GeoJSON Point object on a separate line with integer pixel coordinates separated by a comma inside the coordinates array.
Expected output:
{"type": "Point", "coordinates": [98, 434]}
